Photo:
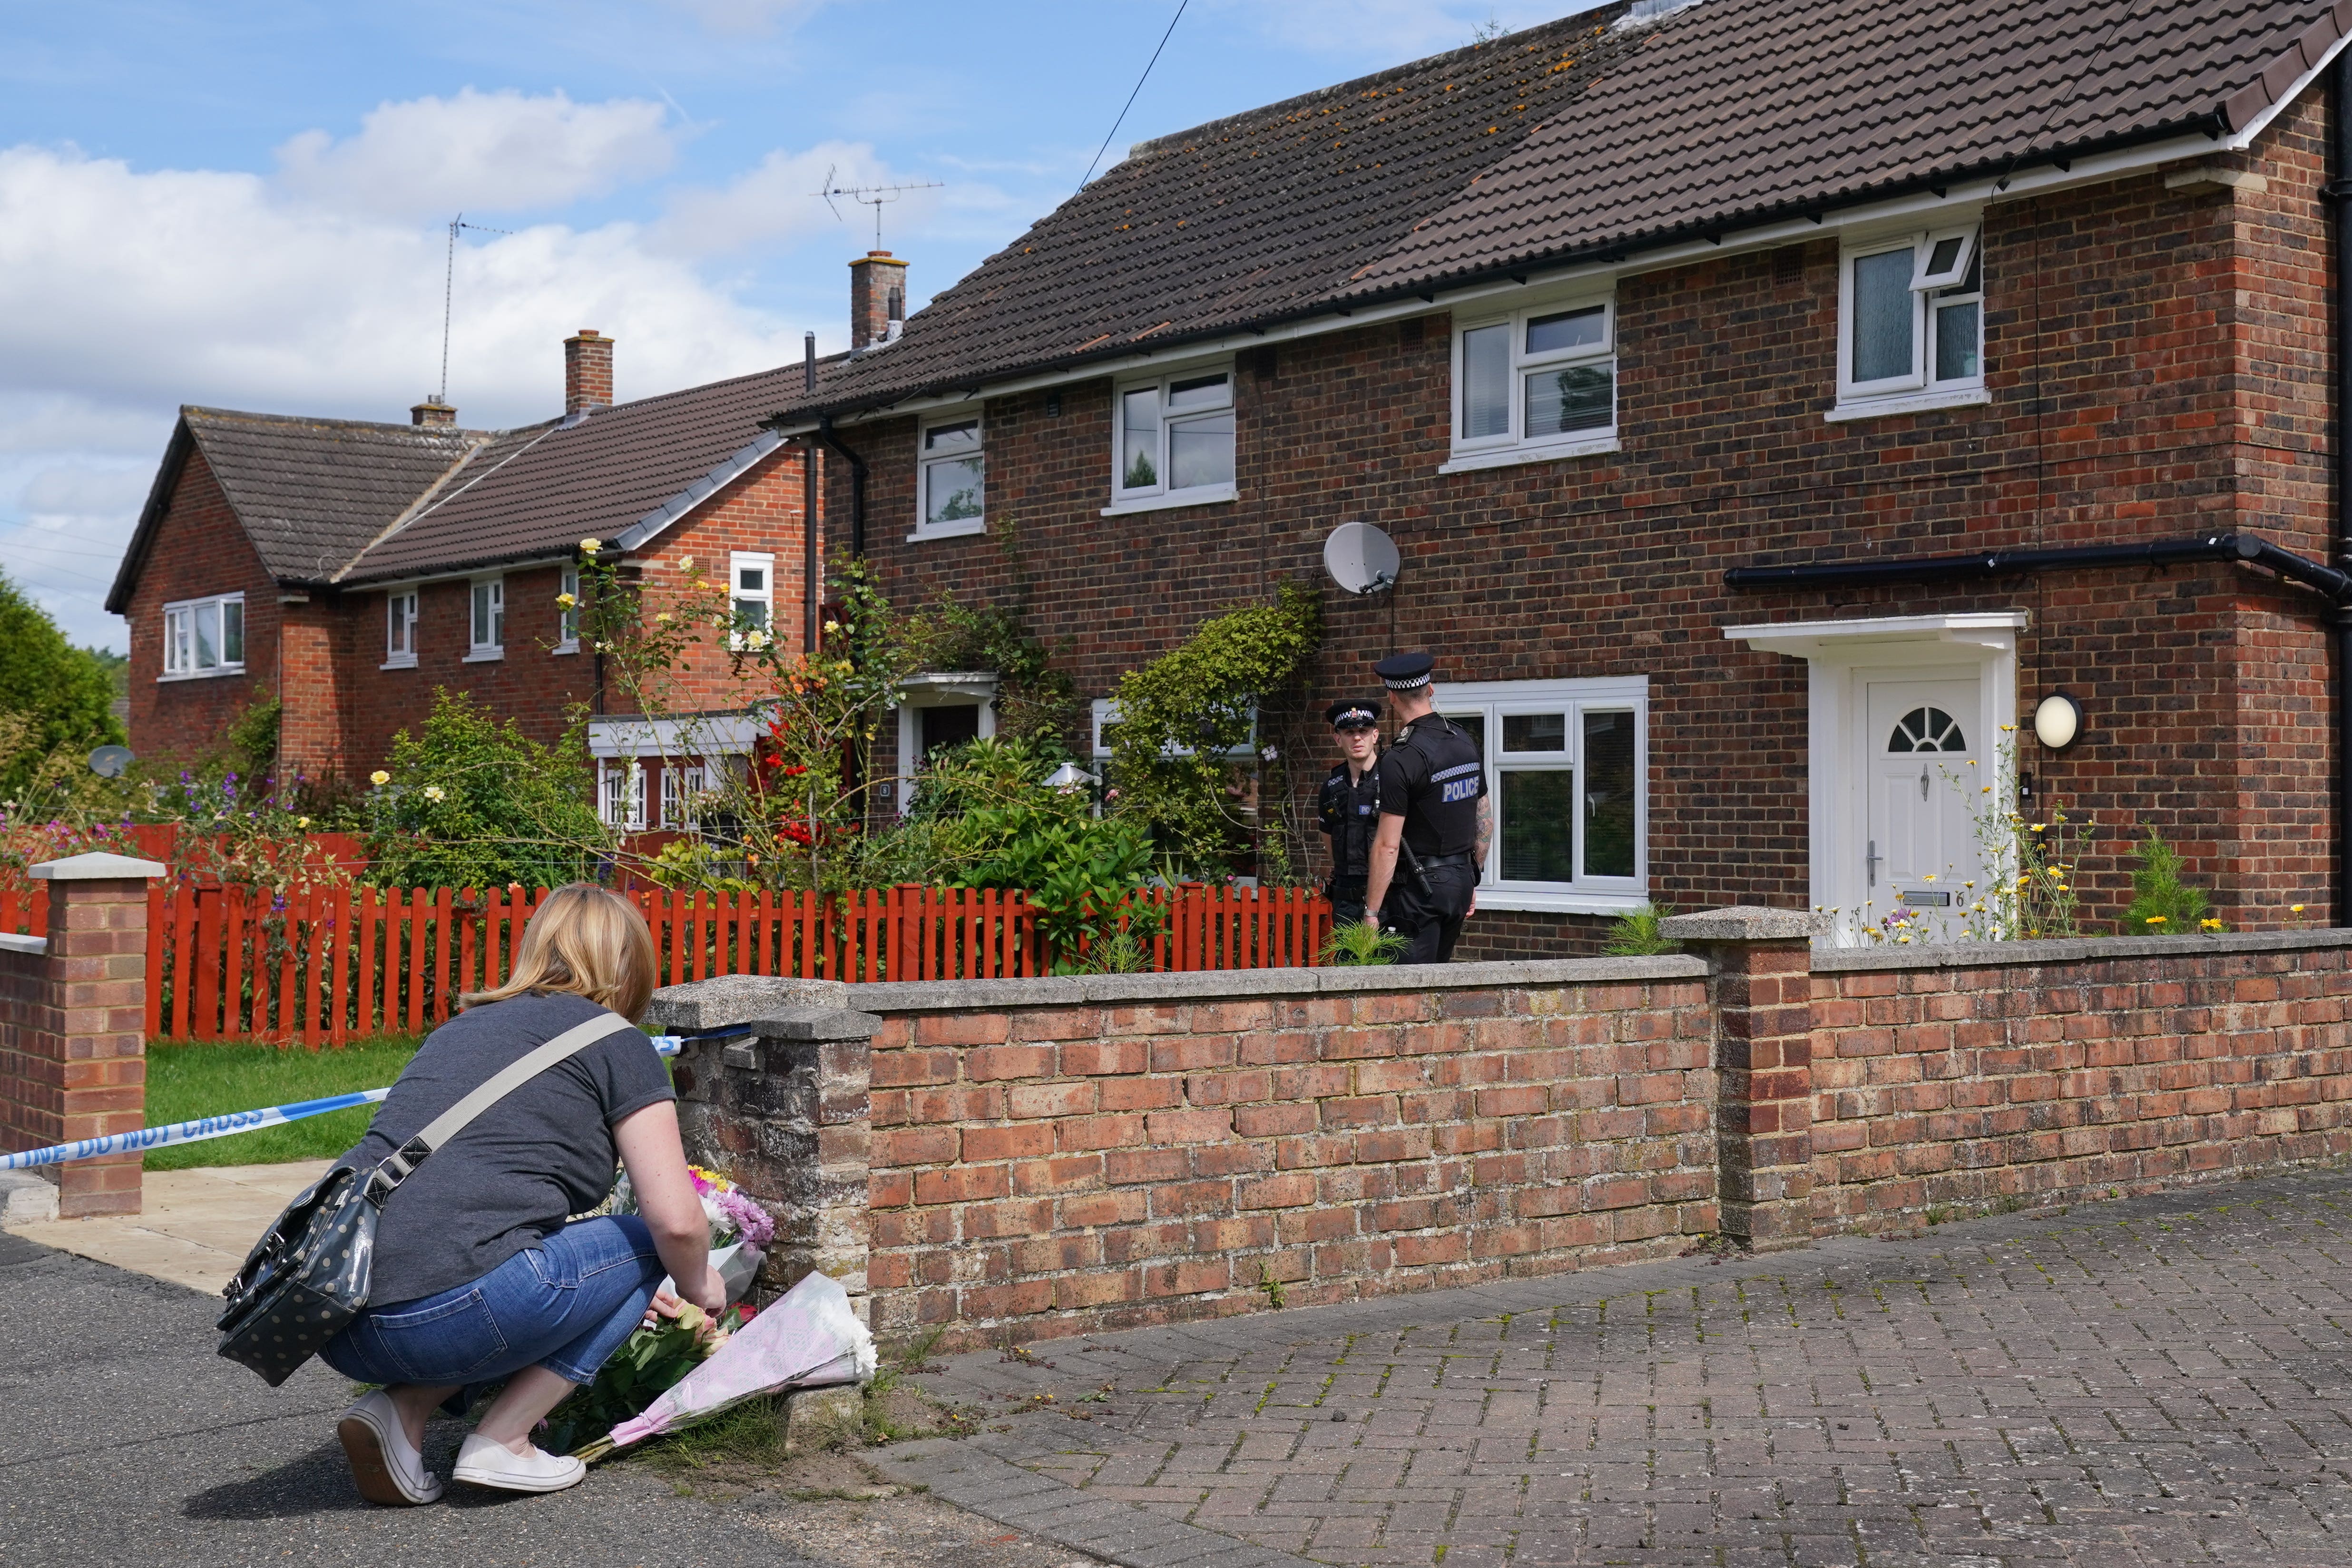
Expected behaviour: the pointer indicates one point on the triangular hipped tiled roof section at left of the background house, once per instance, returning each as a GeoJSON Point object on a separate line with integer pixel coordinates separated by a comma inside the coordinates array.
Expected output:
{"type": "Point", "coordinates": [312, 492]}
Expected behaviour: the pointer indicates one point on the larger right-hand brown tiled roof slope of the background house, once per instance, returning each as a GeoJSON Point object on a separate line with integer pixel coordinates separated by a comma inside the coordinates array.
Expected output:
{"type": "Point", "coordinates": [547, 488]}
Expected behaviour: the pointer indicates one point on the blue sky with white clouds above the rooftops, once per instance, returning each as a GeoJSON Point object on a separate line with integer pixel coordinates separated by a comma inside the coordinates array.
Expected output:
{"type": "Point", "coordinates": [246, 206]}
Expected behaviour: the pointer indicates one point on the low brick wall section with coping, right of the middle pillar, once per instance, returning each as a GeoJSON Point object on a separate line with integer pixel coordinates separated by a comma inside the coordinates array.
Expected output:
{"type": "Point", "coordinates": [2036, 1073]}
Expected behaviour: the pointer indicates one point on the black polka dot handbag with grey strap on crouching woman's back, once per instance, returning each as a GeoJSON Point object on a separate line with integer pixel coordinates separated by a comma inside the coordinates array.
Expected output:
{"type": "Point", "coordinates": [309, 1275]}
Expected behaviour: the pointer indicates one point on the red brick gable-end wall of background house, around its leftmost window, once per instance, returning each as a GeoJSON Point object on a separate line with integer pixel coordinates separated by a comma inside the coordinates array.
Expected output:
{"type": "Point", "coordinates": [199, 551]}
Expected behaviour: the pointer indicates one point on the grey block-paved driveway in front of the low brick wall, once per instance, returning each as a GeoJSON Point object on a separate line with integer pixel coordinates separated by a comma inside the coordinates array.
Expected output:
{"type": "Point", "coordinates": [2151, 1381]}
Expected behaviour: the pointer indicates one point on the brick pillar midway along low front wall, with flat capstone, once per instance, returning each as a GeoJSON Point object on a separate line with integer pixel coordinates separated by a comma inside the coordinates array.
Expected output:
{"type": "Point", "coordinates": [1763, 989]}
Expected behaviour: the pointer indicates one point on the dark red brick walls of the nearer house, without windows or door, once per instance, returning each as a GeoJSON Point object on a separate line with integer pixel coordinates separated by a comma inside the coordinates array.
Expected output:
{"type": "Point", "coordinates": [2156, 363]}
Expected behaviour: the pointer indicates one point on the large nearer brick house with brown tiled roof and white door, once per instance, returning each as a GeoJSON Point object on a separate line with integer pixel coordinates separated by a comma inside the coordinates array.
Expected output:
{"type": "Point", "coordinates": [1770, 403]}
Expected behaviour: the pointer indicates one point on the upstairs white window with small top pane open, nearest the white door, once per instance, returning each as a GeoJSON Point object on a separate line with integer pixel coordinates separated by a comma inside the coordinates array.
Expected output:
{"type": "Point", "coordinates": [1911, 323]}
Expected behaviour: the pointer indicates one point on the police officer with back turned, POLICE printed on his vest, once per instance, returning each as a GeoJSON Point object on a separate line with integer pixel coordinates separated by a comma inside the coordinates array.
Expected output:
{"type": "Point", "coordinates": [1436, 819]}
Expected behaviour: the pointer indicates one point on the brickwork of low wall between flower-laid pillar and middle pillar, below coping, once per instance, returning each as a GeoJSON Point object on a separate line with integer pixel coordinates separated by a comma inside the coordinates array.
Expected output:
{"type": "Point", "coordinates": [1048, 1170]}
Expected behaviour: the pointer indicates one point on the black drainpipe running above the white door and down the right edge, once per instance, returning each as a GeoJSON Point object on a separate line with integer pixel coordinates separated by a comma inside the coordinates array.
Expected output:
{"type": "Point", "coordinates": [1993, 565]}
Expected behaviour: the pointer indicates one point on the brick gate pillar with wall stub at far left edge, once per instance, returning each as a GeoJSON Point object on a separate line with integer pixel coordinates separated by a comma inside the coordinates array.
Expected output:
{"type": "Point", "coordinates": [74, 1026]}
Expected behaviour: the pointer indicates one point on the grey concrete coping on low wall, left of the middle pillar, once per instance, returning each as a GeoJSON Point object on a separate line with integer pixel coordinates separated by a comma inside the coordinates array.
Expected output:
{"type": "Point", "coordinates": [1245, 984]}
